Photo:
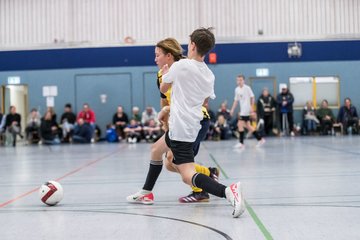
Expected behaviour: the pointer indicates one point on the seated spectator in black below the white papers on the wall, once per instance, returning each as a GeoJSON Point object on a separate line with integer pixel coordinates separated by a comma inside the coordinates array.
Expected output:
{"type": "Point", "coordinates": [49, 130]}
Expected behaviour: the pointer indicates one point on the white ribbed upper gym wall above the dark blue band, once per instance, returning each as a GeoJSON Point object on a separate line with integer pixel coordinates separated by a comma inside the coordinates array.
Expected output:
{"type": "Point", "coordinates": [76, 23]}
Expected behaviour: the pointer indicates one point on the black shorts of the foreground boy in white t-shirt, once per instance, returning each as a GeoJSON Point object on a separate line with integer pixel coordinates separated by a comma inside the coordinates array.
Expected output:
{"type": "Point", "coordinates": [183, 151]}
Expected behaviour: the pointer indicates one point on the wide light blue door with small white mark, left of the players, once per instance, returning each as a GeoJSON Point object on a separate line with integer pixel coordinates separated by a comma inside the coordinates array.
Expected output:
{"type": "Point", "coordinates": [103, 93]}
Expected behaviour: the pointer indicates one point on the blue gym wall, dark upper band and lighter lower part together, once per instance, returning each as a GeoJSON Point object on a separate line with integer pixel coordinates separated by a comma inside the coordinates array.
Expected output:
{"type": "Point", "coordinates": [127, 74]}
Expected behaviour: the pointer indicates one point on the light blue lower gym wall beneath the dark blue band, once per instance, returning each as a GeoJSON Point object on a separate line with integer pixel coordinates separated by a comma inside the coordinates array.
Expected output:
{"type": "Point", "coordinates": [137, 85]}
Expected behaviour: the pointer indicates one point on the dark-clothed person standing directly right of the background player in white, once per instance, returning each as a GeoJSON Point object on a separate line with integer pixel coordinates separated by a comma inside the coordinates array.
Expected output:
{"type": "Point", "coordinates": [266, 106]}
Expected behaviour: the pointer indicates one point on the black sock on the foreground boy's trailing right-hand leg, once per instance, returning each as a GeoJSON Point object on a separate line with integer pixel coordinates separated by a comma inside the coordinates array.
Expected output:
{"type": "Point", "coordinates": [208, 185]}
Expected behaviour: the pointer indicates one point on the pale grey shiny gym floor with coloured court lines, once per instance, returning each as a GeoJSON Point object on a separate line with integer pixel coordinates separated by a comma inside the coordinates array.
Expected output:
{"type": "Point", "coordinates": [295, 188]}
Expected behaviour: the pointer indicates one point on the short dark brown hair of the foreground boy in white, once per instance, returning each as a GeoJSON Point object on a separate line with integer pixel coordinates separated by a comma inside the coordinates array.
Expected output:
{"type": "Point", "coordinates": [204, 40]}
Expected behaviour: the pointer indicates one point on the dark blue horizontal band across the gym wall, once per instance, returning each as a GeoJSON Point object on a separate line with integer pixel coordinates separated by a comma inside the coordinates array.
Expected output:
{"type": "Point", "coordinates": [144, 55]}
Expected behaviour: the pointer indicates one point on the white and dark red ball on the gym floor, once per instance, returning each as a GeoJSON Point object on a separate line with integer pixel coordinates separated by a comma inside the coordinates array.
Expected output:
{"type": "Point", "coordinates": [51, 193]}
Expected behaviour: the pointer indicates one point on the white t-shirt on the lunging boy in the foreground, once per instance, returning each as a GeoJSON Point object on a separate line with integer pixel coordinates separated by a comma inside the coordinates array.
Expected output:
{"type": "Point", "coordinates": [192, 82]}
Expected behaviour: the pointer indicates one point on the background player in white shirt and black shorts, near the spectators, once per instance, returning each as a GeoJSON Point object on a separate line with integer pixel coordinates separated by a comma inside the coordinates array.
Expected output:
{"type": "Point", "coordinates": [245, 96]}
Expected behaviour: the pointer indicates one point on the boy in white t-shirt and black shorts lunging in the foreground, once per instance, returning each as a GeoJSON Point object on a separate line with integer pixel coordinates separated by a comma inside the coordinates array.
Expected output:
{"type": "Point", "coordinates": [192, 83]}
